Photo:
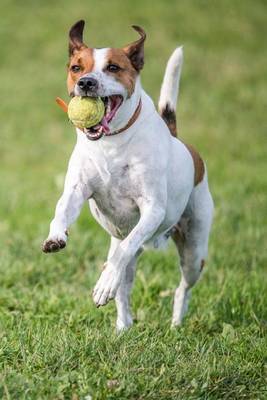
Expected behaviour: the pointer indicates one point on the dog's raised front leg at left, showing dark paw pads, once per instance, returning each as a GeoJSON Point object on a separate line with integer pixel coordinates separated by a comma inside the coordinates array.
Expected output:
{"type": "Point", "coordinates": [67, 211]}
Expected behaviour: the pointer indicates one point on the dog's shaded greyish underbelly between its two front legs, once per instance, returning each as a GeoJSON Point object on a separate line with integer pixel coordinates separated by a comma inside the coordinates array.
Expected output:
{"type": "Point", "coordinates": [116, 214]}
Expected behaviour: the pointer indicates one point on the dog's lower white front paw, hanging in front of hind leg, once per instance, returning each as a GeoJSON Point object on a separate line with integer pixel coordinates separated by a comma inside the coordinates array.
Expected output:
{"type": "Point", "coordinates": [107, 286]}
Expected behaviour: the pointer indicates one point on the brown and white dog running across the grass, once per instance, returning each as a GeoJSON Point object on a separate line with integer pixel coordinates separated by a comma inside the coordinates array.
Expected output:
{"type": "Point", "coordinates": [142, 183]}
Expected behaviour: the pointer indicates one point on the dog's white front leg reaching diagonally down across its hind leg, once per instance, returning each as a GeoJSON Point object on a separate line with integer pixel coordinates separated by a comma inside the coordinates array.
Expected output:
{"type": "Point", "coordinates": [151, 218]}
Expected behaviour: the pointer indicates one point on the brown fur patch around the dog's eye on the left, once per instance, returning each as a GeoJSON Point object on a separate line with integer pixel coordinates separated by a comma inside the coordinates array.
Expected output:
{"type": "Point", "coordinates": [84, 58]}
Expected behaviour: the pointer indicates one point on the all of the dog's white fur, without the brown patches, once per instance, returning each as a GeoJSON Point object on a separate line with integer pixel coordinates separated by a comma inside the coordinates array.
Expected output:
{"type": "Point", "coordinates": [139, 184]}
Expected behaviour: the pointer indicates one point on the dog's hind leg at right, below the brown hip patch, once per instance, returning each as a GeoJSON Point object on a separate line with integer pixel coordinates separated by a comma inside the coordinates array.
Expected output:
{"type": "Point", "coordinates": [191, 239]}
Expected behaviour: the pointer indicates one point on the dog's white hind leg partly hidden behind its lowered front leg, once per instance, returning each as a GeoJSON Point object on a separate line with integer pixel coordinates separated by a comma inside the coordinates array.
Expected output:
{"type": "Point", "coordinates": [122, 299]}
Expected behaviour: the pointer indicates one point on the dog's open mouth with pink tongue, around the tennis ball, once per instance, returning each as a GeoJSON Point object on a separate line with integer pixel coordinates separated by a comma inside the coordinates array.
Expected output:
{"type": "Point", "coordinates": [112, 104]}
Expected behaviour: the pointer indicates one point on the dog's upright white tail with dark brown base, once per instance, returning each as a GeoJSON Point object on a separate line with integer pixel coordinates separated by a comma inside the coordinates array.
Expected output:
{"type": "Point", "coordinates": [170, 89]}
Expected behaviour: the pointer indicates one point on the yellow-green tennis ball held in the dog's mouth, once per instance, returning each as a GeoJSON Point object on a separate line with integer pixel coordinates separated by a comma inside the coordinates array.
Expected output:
{"type": "Point", "coordinates": [85, 112]}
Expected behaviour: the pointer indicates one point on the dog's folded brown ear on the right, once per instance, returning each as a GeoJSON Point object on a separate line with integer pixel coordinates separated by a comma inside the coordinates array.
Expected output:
{"type": "Point", "coordinates": [135, 50]}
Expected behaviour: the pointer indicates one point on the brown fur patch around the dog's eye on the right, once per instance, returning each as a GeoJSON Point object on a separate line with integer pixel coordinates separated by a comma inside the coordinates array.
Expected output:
{"type": "Point", "coordinates": [127, 74]}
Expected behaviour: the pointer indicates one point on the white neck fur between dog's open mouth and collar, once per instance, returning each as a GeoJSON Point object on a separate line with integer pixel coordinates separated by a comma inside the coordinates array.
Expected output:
{"type": "Point", "coordinates": [128, 109]}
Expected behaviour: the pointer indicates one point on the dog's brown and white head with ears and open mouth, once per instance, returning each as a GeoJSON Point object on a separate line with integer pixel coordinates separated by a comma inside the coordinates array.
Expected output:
{"type": "Point", "coordinates": [108, 73]}
